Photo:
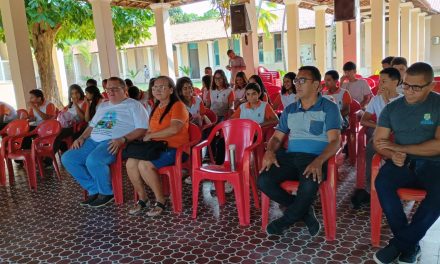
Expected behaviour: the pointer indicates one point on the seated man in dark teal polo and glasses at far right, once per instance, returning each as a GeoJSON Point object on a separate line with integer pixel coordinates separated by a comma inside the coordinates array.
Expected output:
{"type": "Point", "coordinates": [412, 161]}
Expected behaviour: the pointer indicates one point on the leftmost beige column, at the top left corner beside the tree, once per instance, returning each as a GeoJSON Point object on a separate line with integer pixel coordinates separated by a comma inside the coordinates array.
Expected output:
{"type": "Point", "coordinates": [19, 50]}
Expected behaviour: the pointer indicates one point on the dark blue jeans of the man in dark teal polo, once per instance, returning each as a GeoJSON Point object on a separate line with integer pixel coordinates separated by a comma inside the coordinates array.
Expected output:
{"type": "Point", "coordinates": [417, 173]}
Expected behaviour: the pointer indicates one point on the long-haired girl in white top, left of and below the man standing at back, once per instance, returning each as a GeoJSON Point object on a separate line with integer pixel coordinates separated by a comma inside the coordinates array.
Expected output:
{"type": "Point", "coordinates": [221, 99]}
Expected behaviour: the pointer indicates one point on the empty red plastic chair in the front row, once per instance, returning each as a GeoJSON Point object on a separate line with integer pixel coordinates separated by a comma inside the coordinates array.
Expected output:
{"type": "Point", "coordinates": [241, 133]}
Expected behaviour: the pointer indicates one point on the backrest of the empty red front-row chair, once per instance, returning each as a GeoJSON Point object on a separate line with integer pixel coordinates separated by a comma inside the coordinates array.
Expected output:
{"type": "Point", "coordinates": [241, 133]}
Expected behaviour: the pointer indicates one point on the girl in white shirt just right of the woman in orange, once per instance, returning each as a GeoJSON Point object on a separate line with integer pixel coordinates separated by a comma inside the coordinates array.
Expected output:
{"type": "Point", "coordinates": [194, 104]}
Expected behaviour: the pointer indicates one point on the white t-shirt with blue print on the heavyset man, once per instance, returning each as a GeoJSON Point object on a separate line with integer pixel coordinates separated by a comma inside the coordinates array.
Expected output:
{"type": "Point", "coordinates": [116, 120]}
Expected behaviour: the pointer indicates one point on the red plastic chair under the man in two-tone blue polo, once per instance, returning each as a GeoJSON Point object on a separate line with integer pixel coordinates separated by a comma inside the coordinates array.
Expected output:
{"type": "Point", "coordinates": [327, 192]}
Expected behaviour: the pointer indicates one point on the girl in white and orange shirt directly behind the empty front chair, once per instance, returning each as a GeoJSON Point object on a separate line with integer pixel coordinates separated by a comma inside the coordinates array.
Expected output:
{"type": "Point", "coordinates": [255, 109]}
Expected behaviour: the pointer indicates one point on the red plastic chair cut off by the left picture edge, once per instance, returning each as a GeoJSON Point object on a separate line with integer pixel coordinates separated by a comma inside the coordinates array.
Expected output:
{"type": "Point", "coordinates": [14, 128]}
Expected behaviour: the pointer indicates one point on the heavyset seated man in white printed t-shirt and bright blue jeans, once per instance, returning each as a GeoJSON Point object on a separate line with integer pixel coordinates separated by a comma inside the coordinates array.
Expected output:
{"type": "Point", "coordinates": [116, 122]}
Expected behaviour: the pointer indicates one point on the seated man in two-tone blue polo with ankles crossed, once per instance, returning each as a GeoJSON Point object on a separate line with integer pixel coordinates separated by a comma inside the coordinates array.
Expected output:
{"type": "Point", "coordinates": [313, 125]}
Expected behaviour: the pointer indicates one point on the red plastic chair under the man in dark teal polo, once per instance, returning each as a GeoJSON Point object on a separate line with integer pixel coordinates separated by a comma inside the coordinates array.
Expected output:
{"type": "Point", "coordinates": [407, 194]}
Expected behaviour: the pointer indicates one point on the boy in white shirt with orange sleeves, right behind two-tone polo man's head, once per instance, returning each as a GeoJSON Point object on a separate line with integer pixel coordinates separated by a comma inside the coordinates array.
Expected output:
{"type": "Point", "coordinates": [340, 96]}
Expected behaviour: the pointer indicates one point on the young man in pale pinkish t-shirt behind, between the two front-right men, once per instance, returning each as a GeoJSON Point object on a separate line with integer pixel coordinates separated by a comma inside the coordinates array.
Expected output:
{"type": "Point", "coordinates": [358, 89]}
